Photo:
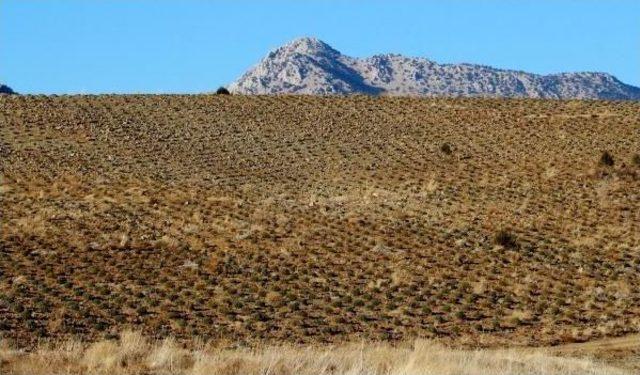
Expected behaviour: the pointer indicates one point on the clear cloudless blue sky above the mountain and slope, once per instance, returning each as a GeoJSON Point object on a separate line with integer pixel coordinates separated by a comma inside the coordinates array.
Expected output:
{"type": "Point", "coordinates": [127, 46]}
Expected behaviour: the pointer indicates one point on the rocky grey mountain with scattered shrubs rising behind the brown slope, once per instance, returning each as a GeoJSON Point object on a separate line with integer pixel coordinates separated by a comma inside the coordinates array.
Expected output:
{"type": "Point", "coordinates": [311, 66]}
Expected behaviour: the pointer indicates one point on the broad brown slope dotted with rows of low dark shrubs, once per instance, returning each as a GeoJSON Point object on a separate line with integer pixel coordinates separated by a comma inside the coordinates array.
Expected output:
{"type": "Point", "coordinates": [306, 219]}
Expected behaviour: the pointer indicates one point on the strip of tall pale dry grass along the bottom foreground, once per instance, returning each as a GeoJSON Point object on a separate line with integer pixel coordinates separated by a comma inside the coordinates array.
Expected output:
{"type": "Point", "coordinates": [132, 354]}
